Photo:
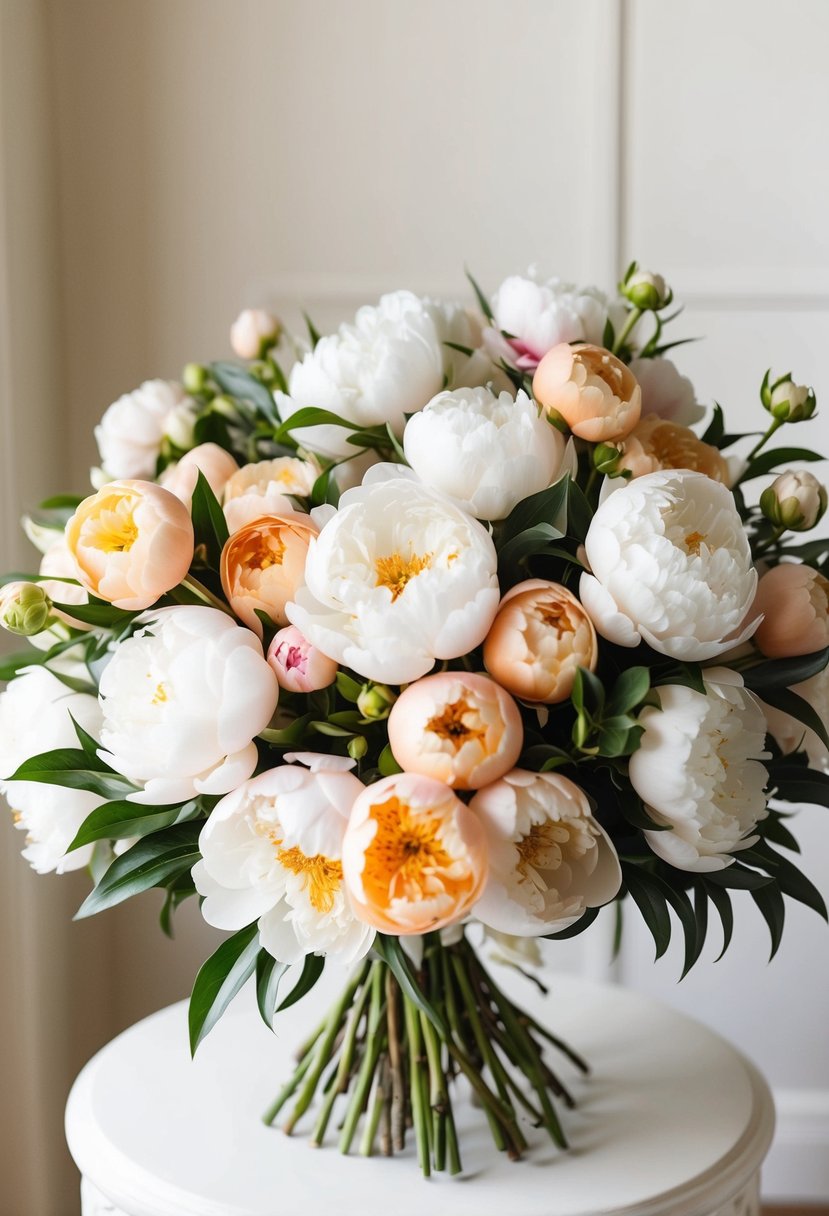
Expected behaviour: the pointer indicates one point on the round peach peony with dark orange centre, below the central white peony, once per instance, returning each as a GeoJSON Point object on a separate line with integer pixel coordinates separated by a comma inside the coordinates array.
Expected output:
{"type": "Point", "coordinates": [460, 729]}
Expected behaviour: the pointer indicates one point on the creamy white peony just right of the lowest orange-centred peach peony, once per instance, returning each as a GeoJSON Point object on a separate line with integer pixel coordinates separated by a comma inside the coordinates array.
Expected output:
{"type": "Point", "coordinates": [550, 859]}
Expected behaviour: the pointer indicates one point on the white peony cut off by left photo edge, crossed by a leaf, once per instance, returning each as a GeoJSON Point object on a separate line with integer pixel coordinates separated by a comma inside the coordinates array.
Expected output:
{"type": "Point", "coordinates": [35, 718]}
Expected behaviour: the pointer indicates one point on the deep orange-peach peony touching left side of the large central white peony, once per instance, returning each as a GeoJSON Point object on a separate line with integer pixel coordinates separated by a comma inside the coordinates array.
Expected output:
{"type": "Point", "coordinates": [263, 565]}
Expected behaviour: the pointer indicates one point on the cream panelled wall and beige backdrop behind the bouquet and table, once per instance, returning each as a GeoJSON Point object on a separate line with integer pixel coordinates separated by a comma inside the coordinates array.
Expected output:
{"type": "Point", "coordinates": [166, 162]}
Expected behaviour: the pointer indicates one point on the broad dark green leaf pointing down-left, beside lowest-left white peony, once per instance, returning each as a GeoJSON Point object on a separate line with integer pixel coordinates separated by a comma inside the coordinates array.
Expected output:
{"type": "Point", "coordinates": [151, 863]}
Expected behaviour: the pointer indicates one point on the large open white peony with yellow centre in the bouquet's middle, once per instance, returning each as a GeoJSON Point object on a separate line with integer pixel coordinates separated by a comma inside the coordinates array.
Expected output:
{"type": "Point", "coordinates": [398, 578]}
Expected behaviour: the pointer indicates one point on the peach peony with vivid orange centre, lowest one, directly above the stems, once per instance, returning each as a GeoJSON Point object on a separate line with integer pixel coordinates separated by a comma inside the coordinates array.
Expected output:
{"type": "Point", "coordinates": [414, 855]}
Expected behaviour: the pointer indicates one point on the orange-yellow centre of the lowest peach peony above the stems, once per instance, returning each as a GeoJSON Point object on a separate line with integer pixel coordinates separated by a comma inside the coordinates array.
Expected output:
{"type": "Point", "coordinates": [407, 855]}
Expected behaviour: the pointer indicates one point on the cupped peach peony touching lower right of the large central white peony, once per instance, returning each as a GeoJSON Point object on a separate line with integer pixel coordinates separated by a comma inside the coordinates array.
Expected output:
{"type": "Point", "coordinates": [539, 640]}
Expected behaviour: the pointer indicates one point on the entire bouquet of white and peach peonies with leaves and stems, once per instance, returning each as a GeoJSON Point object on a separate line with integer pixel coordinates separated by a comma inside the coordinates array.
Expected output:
{"type": "Point", "coordinates": [413, 644]}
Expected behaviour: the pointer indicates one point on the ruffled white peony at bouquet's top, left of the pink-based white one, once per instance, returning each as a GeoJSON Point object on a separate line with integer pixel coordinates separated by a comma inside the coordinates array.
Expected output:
{"type": "Point", "coordinates": [390, 363]}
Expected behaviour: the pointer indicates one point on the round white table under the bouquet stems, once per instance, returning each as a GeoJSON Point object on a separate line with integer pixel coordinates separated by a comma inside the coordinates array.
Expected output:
{"type": "Point", "coordinates": [673, 1122]}
